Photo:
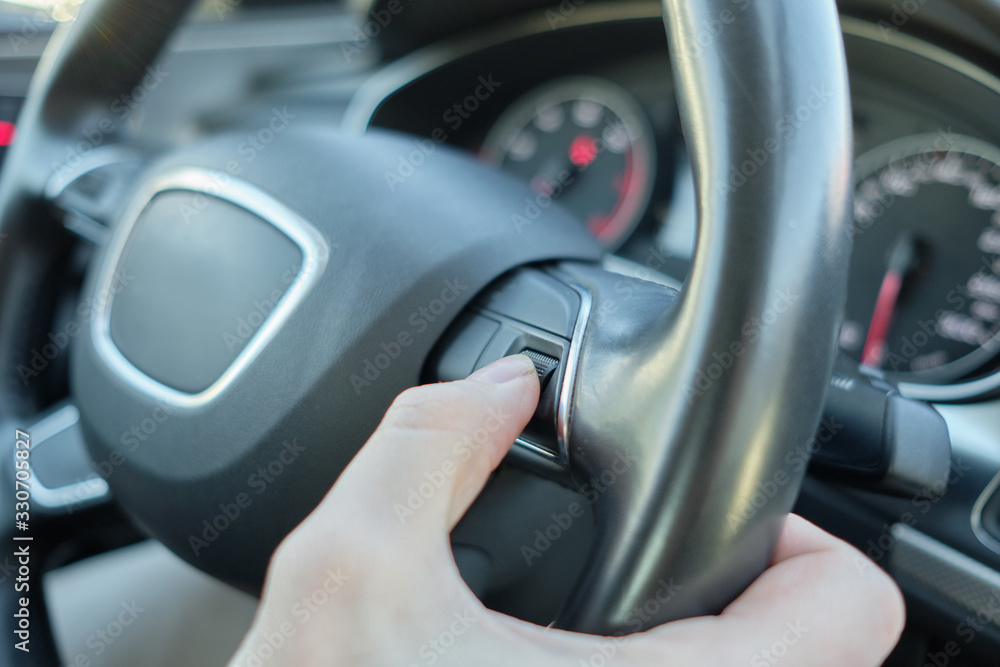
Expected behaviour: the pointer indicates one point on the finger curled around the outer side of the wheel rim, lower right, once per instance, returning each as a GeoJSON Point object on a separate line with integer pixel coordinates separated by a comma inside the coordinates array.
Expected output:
{"type": "Point", "coordinates": [822, 602]}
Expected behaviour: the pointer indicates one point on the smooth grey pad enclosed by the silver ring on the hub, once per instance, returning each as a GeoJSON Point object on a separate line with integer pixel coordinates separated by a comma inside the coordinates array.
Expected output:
{"type": "Point", "coordinates": [190, 286]}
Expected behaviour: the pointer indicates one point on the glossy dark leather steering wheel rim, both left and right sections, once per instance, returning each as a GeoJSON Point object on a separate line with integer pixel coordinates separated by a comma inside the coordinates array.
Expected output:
{"type": "Point", "coordinates": [733, 95]}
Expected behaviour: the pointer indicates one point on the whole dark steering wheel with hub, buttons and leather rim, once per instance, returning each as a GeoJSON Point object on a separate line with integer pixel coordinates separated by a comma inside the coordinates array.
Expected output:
{"type": "Point", "coordinates": [252, 312]}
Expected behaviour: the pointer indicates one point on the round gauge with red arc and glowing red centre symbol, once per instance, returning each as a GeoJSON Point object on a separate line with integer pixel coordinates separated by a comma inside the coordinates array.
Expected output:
{"type": "Point", "coordinates": [585, 143]}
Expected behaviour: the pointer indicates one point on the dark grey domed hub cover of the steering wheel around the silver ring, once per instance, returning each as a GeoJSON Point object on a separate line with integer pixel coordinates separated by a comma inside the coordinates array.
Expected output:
{"type": "Point", "coordinates": [223, 480]}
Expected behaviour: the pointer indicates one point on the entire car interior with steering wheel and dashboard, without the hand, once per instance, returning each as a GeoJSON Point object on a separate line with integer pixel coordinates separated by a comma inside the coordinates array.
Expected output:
{"type": "Point", "coordinates": [752, 248]}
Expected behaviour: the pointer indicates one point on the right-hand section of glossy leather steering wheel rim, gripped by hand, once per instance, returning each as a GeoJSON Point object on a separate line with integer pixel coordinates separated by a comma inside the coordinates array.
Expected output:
{"type": "Point", "coordinates": [785, 252]}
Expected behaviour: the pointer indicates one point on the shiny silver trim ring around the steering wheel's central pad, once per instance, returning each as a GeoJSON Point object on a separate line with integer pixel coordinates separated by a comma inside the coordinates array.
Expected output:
{"type": "Point", "coordinates": [315, 254]}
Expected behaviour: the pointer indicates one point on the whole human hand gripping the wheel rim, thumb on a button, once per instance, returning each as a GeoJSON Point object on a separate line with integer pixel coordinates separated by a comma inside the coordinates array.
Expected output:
{"type": "Point", "coordinates": [354, 585]}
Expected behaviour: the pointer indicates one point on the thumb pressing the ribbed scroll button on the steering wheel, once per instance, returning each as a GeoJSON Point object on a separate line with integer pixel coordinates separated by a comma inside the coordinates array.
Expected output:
{"type": "Point", "coordinates": [435, 449]}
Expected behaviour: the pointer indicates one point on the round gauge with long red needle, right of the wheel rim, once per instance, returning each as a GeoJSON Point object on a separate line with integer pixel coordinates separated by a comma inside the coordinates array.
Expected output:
{"type": "Point", "coordinates": [924, 293]}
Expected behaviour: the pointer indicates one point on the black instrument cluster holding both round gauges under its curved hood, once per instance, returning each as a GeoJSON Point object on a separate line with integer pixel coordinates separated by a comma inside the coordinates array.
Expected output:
{"type": "Point", "coordinates": [587, 117]}
